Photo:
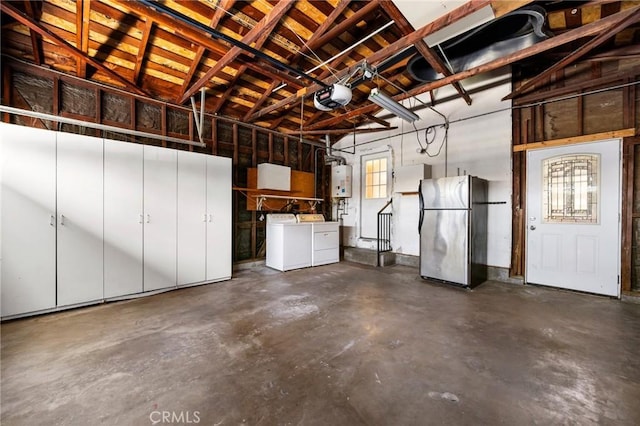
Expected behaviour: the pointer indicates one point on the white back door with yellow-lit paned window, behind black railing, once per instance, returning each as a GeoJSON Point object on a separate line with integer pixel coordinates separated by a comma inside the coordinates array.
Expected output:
{"type": "Point", "coordinates": [375, 187]}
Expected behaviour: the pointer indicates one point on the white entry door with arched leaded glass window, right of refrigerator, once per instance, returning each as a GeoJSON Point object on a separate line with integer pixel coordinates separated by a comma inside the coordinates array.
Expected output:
{"type": "Point", "coordinates": [573, 205]}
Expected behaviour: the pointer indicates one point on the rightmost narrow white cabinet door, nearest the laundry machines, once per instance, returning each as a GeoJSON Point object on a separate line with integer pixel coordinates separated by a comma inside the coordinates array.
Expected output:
{"type": "Point", "coordinates": [218, 218]}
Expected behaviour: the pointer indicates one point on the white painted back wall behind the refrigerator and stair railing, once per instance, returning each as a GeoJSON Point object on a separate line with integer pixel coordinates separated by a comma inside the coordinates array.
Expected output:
{"type": "Point", "coordinates": [479, 143]}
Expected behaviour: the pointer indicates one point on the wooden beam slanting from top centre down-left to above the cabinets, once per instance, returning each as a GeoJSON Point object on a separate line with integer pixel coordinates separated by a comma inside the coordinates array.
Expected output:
{"type": "Point", "coordinates": [266, 25]}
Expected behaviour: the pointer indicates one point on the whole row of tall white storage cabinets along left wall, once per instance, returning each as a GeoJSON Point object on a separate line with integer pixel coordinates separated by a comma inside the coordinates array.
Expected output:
{"type": "Point", "coordinates": [108, 212]}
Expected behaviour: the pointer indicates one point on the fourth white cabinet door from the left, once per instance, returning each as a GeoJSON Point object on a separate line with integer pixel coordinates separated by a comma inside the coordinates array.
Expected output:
{"type": "Point", "coordinates": [160, 216]}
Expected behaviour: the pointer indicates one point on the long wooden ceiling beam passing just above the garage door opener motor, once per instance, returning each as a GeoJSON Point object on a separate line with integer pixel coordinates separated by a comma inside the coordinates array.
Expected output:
{"type": "Point", "coordinates": [500, 8]}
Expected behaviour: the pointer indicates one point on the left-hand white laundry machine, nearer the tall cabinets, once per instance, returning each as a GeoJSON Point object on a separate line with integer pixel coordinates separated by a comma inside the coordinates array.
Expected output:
{"type": "Point", "coordinates": [288, 242]}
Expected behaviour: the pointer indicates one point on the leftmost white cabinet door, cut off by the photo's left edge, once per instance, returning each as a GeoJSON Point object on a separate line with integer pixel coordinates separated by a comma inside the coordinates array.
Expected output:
{"type": "Point", "coordinates": [28, 202]}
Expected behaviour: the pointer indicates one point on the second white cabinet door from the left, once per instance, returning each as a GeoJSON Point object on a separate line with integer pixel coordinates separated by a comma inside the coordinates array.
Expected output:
{"type": "Point", "coordinates": [80, 218]}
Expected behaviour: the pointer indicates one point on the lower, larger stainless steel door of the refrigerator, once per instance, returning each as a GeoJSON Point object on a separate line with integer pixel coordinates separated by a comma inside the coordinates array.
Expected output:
{"type": "Point", "coordinates": [444, 252]}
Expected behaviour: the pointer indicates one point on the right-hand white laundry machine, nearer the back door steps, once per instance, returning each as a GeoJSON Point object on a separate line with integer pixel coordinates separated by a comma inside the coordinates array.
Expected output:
{"type": "Point", "coordinates": [325, 239]}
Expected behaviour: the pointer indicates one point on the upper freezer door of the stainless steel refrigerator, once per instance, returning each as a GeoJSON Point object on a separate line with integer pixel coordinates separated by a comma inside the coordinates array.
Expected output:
{"type": "Point", "coordinates": [446, 193]}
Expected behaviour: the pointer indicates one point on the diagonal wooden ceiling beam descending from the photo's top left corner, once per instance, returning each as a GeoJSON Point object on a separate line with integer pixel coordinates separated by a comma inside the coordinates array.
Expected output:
{"type": "Point", "coordinates": [76, 53]}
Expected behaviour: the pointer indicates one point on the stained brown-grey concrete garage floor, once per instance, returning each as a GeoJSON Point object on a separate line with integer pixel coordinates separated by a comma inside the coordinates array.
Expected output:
{"type": "Point", "coordinates": [342, 344]}
